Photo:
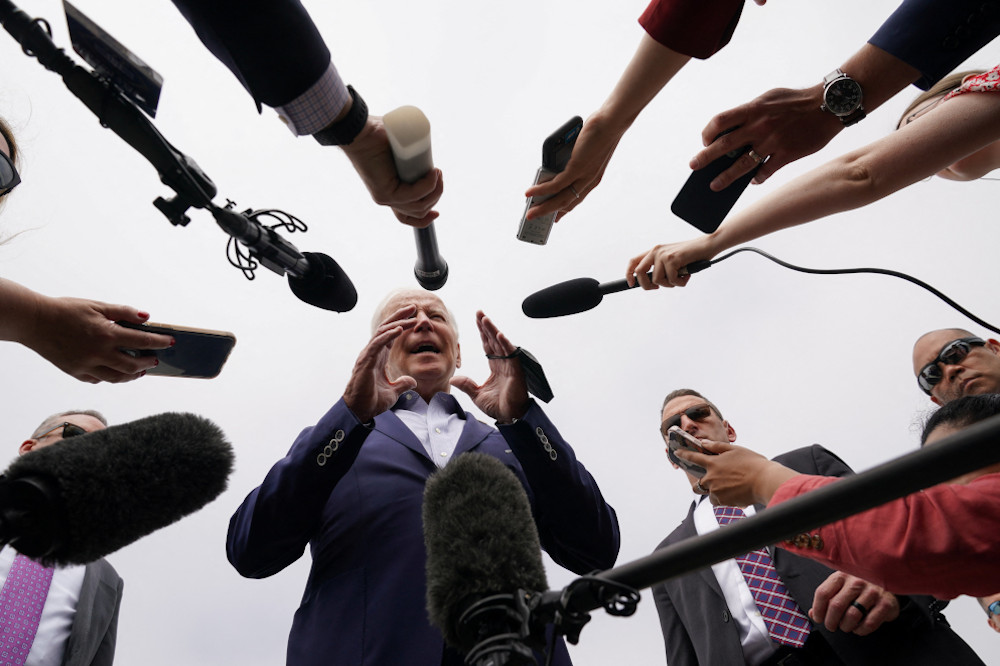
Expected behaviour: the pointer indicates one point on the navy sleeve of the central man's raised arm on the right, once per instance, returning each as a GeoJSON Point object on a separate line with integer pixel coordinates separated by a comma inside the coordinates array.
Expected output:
{"type": "Point", "coordinates": [577, 528]}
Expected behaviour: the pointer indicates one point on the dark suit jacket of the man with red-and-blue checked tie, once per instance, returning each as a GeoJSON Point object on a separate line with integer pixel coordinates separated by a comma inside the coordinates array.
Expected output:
{"type": "Point", "coordinates": [698, 629]}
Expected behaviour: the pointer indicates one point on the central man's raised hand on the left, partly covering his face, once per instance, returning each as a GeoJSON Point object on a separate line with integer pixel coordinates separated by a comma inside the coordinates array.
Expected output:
{"type": "Point", "coordinates": [370, 391]}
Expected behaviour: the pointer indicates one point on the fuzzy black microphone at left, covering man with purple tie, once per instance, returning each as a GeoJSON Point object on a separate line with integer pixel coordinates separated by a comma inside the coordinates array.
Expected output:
{"type": "Point", "coordinates": [82, 498]}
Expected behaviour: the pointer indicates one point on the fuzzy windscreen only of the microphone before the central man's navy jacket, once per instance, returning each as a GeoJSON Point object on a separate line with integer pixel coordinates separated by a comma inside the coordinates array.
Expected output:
{"type": "Point", "coordinates": [480, 536]}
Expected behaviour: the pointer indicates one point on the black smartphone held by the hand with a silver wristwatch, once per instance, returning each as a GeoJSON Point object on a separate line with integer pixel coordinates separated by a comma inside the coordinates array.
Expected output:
{"type": "Point", "coordinates": [704, 209]}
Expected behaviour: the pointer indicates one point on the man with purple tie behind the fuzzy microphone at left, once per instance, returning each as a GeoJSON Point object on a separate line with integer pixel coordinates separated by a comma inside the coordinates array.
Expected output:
{"type": "Point", "coordinates": [67, 616]}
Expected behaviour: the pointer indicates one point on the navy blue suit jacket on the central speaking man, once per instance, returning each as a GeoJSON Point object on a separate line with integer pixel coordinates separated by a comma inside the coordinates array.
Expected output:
{"type": "Point", "coordinates": [355, 494]}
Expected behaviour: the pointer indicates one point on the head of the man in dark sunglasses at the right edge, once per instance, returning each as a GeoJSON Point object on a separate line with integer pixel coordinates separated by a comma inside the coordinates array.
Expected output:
{"type": "Point", "coordinates": [951, 362]}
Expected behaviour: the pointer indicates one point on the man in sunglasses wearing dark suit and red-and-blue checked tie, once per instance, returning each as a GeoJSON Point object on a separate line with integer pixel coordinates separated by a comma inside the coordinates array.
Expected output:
{"type": "Point", "coordinates": [771, 607]}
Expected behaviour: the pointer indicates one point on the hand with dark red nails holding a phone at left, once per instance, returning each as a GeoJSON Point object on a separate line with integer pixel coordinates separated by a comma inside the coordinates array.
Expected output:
{"type": "Point", "coordinates": [81, 338]}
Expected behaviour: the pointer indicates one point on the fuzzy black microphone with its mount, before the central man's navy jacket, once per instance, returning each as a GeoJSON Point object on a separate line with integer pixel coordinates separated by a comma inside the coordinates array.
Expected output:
{"type": "Point", "coordinates": [482, 545]}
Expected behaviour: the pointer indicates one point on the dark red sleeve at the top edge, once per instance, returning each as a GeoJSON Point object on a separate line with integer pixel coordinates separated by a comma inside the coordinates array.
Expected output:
{"type": "Point", "coordinates": [697, 28]}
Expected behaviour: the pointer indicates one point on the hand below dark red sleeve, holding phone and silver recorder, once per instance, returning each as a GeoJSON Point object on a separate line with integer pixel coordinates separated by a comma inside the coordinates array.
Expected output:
{"type": "Point", "coordinates": [591, 154]}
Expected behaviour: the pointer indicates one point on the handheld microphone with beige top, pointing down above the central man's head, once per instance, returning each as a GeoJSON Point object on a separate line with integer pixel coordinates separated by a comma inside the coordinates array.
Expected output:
{"type": "Point", "coordinates": [410, 139]}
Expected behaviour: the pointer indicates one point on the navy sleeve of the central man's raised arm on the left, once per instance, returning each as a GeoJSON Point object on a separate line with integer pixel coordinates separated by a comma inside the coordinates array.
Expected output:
{"type": "Point", "coordinates": [274, 524]}
